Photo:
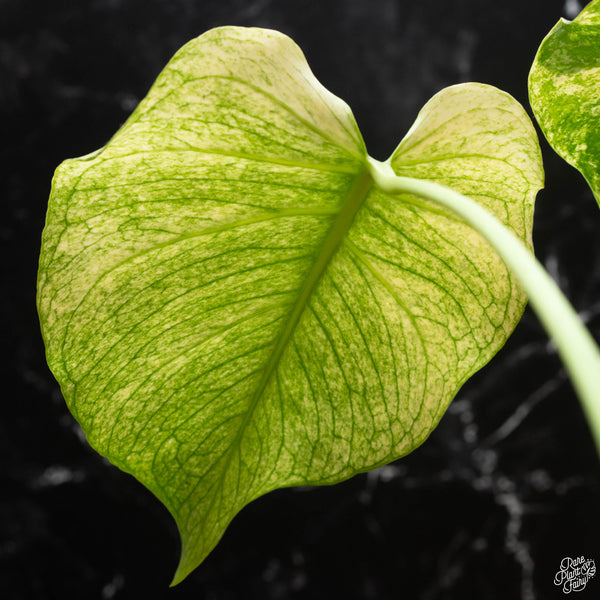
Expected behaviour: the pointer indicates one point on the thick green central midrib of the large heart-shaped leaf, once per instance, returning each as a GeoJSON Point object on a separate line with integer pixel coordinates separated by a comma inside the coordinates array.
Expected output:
{"type": "Point", "coordinates": [352, 203]}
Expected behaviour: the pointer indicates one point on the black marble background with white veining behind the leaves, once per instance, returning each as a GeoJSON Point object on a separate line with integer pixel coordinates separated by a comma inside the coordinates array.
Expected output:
{"type": "Point", "coordinates": [506, 486]}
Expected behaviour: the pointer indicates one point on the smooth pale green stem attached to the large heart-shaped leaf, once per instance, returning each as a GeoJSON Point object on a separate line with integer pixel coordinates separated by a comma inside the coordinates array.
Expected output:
{"type": "Point", "coordinates": [575, 345]}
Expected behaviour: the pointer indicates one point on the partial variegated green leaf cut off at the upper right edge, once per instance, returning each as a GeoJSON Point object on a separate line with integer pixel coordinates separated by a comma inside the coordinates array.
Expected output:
{"type": "Point", "coordinates": [564, 91]}
